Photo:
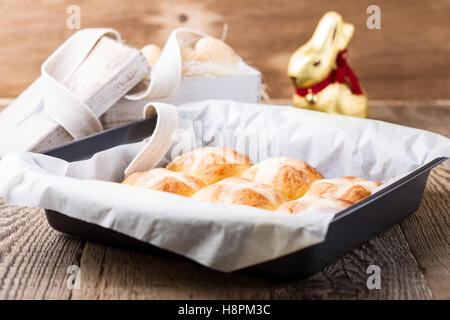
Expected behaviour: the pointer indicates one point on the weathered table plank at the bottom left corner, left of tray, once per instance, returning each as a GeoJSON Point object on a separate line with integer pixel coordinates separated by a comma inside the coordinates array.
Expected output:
{"type": "Point", "coordinates": [33, 257]}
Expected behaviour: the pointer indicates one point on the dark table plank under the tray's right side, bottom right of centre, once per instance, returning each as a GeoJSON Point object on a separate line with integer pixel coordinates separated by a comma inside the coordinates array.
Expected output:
{"type": "Point", "coordinates": [401, 277]}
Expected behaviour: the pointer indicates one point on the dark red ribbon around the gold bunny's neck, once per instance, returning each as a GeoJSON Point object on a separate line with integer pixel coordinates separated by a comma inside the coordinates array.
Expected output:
{"type": "Point", "coordinates": [340, 75]}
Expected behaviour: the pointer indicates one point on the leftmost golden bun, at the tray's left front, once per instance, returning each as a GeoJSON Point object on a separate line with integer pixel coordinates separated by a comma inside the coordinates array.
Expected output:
{"type": "Point", "coordinates": [165, 180]}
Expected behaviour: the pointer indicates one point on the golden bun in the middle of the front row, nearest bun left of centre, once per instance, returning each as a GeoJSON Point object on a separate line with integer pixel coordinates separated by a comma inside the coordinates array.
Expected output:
{"type": "Point", "coordinates": [241, 191]}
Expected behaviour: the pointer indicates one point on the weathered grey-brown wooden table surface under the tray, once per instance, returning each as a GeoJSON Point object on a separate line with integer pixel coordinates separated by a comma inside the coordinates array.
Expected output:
{"type": "Point", "coordinates": [413, 256]}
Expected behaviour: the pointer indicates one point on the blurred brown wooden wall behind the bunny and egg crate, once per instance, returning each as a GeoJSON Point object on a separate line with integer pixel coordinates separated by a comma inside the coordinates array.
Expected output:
{"type": "Point", "coordinates": [407, 59]}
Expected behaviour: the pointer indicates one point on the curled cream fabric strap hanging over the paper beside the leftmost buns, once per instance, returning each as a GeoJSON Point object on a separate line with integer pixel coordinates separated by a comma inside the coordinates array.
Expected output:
{"type": "Point", "coordinates": [161, 139]}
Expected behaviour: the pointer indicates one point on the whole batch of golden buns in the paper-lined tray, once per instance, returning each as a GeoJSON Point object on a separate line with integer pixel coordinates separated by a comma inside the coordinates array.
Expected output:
{"type": "Point", "coordinates": [225, 176]}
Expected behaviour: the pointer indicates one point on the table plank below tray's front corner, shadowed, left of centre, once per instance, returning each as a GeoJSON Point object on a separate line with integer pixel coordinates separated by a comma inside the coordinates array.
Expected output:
{"type": "Point", "coordinates": [111, 273]}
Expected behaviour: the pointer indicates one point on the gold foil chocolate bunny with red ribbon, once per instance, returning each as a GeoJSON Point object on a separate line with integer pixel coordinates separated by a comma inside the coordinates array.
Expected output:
{"type": "Point", "coordinates": [321, 75]}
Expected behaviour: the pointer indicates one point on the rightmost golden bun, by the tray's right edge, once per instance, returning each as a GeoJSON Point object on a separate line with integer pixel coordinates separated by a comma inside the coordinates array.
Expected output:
{"type": "Point", "coordinates": [351, 189]}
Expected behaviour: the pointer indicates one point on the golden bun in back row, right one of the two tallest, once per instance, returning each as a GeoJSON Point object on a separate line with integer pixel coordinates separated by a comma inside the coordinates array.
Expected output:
{"type": "Point", "coordinates": [289, 176]}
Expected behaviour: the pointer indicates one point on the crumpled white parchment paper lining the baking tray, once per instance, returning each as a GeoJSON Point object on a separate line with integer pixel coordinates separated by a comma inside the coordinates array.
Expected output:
{"type": "Point", "coordinates": [223, 237]}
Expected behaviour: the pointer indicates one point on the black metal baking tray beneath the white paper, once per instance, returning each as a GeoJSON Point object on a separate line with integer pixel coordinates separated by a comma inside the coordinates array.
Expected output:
{"type": "Point", "coordinates": [348, 230]}
